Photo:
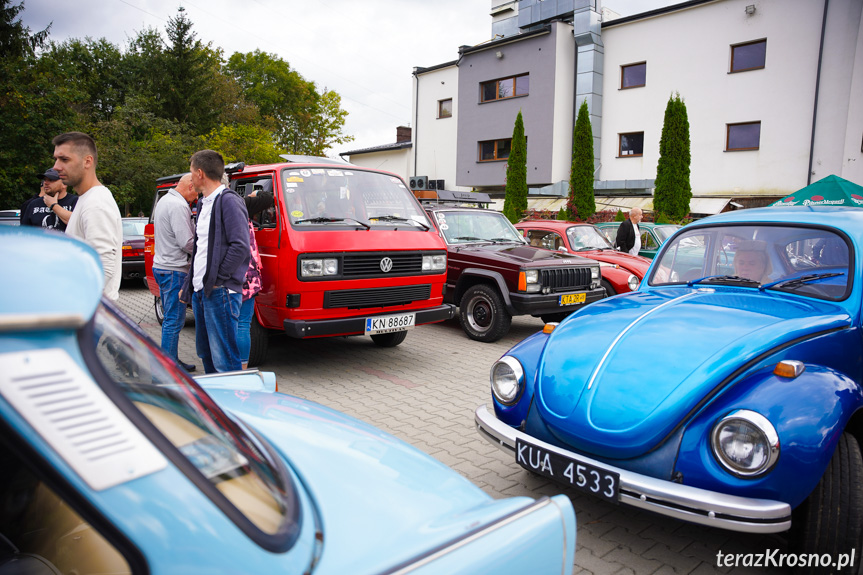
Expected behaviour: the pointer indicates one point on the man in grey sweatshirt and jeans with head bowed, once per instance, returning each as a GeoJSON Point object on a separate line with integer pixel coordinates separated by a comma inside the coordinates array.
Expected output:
{"type": "Point", "coordinates": [174, 234]}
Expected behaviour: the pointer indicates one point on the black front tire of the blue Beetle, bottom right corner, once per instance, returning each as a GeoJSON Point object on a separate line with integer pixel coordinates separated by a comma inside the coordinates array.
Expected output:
{"type": "Point", "coordinates": [829, 521]}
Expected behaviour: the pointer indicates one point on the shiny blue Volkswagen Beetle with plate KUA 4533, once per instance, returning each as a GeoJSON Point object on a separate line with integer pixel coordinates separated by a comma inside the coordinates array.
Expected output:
{"type": "Point", "coordinates": [725, 391]}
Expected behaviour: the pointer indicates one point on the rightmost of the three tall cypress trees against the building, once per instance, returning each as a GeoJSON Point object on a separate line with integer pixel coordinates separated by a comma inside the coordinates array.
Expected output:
{"type": "Point", "coordinates": [673, 190]}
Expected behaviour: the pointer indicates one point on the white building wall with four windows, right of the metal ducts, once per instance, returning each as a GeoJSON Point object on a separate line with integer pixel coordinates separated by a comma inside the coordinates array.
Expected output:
{"type": "Point", "coordinates": [689, 52]}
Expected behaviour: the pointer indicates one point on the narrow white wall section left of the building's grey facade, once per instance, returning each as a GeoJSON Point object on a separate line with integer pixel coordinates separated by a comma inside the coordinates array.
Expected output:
{"type": "Point", "coordinates": [434, 139]}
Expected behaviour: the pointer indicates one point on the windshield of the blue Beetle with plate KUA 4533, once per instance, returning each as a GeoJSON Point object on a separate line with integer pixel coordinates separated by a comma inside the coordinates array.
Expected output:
{"type": "Point", "coordinates": [815, 262]}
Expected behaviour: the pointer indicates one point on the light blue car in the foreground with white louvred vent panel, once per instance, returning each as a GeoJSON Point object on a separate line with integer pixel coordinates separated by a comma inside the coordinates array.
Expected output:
{"type": "Point", "coordinates": [113, 460]}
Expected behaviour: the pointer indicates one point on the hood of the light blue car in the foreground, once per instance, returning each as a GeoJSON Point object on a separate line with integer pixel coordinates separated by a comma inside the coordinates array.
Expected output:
{"type": "Point", "coordinates": [380, 500]}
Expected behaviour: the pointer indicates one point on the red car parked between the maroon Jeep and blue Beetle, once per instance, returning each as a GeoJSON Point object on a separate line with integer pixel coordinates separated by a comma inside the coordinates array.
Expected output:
{"type": "Point", "coordinates": [620, 272]}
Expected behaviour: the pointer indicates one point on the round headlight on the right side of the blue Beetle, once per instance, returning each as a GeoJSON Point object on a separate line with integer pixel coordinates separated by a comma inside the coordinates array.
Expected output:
{"type": "Point", "coordinates": [745, 443]}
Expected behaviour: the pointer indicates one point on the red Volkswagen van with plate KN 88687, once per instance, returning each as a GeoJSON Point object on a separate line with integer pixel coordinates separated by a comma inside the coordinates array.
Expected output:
{"type": "Point", "coordinates": [345, 250]}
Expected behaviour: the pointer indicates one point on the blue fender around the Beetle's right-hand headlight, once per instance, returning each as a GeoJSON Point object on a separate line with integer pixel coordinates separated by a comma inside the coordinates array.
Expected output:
{"type": "Point", "coordinates": [809, 413]}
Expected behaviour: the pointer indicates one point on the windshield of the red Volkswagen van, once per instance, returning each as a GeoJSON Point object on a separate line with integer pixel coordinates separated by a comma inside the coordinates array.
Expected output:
{"type": "Point", "coordinates": [337, 197]}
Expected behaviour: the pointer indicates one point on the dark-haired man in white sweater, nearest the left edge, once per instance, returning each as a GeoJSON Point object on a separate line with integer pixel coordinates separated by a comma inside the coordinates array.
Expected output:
{"type": "Point", "coordinates": [96, 219]}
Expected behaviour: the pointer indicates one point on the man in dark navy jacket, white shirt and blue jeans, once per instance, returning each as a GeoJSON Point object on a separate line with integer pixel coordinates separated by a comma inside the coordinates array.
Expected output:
{"type": "Point", "coordinates": [220, 259]}
